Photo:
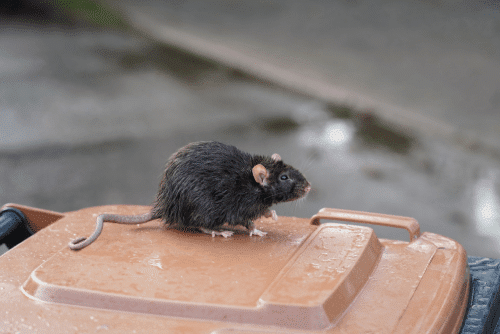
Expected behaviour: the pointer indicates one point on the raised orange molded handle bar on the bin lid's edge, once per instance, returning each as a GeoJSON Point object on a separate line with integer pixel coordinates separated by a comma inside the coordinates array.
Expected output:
{"type": "Point", "coordinates": [408, 223]}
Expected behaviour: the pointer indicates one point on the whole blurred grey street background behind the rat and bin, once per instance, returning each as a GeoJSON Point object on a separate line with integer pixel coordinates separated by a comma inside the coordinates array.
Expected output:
{"type": "Point", "coordinates": [385, 106]}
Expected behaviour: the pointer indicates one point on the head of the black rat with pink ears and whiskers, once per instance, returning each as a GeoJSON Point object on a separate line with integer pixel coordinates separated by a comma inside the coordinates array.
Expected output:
{"type": "Point", "coordinates": [283, 182]}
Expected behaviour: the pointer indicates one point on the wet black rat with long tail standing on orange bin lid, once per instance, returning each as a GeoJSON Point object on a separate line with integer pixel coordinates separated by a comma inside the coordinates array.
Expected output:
{"type": "Point", "coordinates": [208, 184]}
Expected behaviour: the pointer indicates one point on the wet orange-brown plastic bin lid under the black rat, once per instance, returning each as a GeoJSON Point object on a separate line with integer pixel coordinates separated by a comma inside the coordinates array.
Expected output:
{"type": "Point", "coordinates": [300, 277]}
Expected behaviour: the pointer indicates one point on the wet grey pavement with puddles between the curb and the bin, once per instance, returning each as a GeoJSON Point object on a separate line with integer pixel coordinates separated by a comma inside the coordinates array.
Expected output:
{"type": "Point", "coordinates": [90, 116]}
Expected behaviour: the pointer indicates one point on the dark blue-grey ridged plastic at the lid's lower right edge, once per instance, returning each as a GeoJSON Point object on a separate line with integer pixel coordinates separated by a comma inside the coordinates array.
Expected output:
{"type": "Point", "coordinates": [483, 309]}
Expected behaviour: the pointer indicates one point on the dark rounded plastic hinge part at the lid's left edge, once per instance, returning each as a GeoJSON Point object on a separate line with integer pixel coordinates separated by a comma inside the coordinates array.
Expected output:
{"type": "Point", "coordinates": [14, 227]}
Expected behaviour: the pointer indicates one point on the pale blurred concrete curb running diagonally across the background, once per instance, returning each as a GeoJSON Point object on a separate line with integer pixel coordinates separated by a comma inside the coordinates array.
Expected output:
{"type": "Point", "coordinates": [292, 79]}
